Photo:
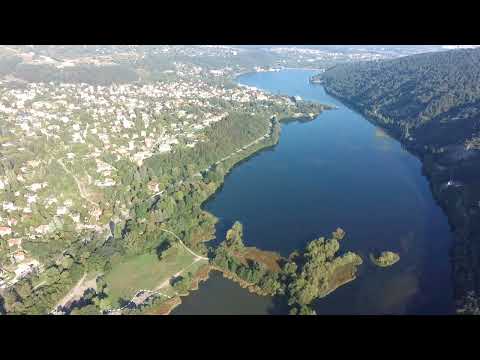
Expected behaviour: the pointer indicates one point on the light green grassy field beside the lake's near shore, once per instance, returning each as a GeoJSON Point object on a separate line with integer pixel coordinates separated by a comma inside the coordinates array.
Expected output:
{"type": "Point", "coordinates": [146, 272]}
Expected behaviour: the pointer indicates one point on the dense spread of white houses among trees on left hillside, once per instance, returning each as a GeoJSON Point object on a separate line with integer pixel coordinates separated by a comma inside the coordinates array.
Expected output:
{"type": "Point", "coordinates": [89, 129]}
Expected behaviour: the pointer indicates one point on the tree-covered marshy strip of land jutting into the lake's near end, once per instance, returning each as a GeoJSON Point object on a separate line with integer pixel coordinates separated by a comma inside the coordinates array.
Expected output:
{"type": "Point", "coordinates": [303, 277]}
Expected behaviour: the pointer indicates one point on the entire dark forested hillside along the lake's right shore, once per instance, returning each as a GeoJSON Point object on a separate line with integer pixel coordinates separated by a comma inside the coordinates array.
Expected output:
{"type": "Point", "coordinates": [431, 102]}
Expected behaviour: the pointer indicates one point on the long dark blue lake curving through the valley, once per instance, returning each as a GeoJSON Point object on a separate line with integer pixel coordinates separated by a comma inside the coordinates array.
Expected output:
{"type": "Point", "coordinates": [336, 171]}
